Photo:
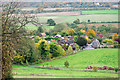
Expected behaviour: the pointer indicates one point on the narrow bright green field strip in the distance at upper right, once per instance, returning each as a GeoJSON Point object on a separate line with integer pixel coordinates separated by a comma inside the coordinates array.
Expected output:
{"type": "Point", "coordinates": [99, 11]}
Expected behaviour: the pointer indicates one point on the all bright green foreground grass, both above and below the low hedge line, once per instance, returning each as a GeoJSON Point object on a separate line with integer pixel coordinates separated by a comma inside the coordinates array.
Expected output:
{"type": "Point", "coordinates": [97, 57]}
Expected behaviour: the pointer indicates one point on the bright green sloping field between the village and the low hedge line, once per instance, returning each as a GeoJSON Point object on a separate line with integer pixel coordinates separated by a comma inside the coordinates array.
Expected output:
{"type": "Point", "coordinates": [97, 57]}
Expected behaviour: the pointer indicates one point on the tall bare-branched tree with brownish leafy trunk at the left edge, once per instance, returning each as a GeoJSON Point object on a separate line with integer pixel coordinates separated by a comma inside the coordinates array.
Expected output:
{"type": "Point", "coordinates": [12, 34]}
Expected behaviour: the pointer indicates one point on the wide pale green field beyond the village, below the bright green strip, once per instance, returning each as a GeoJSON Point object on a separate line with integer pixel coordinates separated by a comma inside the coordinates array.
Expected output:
{"type": "Point", "coordinates": [70, 19]}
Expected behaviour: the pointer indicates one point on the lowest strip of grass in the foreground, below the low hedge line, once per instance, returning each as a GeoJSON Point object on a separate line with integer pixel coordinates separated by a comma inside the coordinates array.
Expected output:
{"type": "Point", "coordinates": [47, 73]}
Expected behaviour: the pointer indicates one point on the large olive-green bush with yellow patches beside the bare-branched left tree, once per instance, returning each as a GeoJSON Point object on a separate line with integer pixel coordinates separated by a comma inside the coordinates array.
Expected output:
{"type": "Point", "coordinates": [26, 53]}
